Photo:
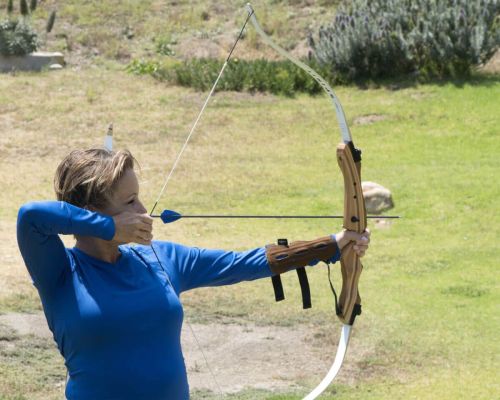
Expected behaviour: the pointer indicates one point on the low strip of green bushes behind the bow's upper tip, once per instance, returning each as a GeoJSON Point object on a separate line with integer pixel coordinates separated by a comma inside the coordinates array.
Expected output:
{"type": "Point", "coordinates": [277, 77]}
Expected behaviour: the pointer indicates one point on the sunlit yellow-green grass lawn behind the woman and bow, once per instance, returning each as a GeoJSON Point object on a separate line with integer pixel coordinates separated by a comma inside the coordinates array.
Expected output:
{"type": "Point", "coordinates": [430, 325]}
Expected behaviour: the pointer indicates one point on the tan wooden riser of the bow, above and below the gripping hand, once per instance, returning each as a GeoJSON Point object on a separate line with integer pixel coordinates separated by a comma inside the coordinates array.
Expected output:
{"type": "Point", "coordinates": [354, 220]}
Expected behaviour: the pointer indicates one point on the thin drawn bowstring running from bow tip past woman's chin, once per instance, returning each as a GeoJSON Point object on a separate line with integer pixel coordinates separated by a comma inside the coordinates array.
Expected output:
{"type": "Point", "coordinates": [174, 166]}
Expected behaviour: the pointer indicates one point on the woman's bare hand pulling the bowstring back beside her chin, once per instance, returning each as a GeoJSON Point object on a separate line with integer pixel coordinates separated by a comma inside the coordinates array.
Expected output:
{"type": "Point", "coordinates": [133, 228]}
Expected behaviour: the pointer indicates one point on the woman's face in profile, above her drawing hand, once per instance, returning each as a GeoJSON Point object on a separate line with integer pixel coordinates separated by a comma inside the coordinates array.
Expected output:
{"type": "Point", "coordinates": [125, 196]}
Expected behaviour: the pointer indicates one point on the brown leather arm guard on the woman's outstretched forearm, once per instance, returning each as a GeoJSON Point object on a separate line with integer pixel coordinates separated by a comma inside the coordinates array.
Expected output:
{"type": "Point", "coordinates": [283, 258]}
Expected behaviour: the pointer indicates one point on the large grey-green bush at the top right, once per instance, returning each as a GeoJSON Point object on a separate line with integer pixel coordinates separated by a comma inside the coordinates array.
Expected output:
{"type": "Point", "coordinates": [389, 38]}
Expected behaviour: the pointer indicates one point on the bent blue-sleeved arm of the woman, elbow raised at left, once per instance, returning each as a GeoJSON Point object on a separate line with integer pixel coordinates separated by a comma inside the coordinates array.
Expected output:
{"type": "Point", "coordinates": [38, 227]}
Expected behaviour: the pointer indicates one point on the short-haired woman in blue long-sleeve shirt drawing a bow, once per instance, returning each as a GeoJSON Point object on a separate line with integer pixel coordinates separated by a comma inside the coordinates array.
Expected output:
{"type": "Point", "coordinates": [113, 308]}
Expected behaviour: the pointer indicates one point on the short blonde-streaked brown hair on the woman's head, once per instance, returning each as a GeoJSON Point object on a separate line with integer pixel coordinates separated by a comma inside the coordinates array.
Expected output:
{"type": "Point", "coordinates": [88, 177]}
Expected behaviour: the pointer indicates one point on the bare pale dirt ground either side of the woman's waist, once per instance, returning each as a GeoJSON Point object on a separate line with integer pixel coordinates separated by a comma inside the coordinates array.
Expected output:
{"type": "Point", "coordinates": [240, 356]}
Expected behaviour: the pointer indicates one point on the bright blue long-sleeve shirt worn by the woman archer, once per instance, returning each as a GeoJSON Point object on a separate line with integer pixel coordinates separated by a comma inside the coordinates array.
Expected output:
{"type": "Point", "coordinates": [118, 325]}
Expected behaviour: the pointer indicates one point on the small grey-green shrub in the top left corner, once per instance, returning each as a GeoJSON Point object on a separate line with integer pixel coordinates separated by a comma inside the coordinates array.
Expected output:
{"type": "Point", "coordinates": [17, 37]}
